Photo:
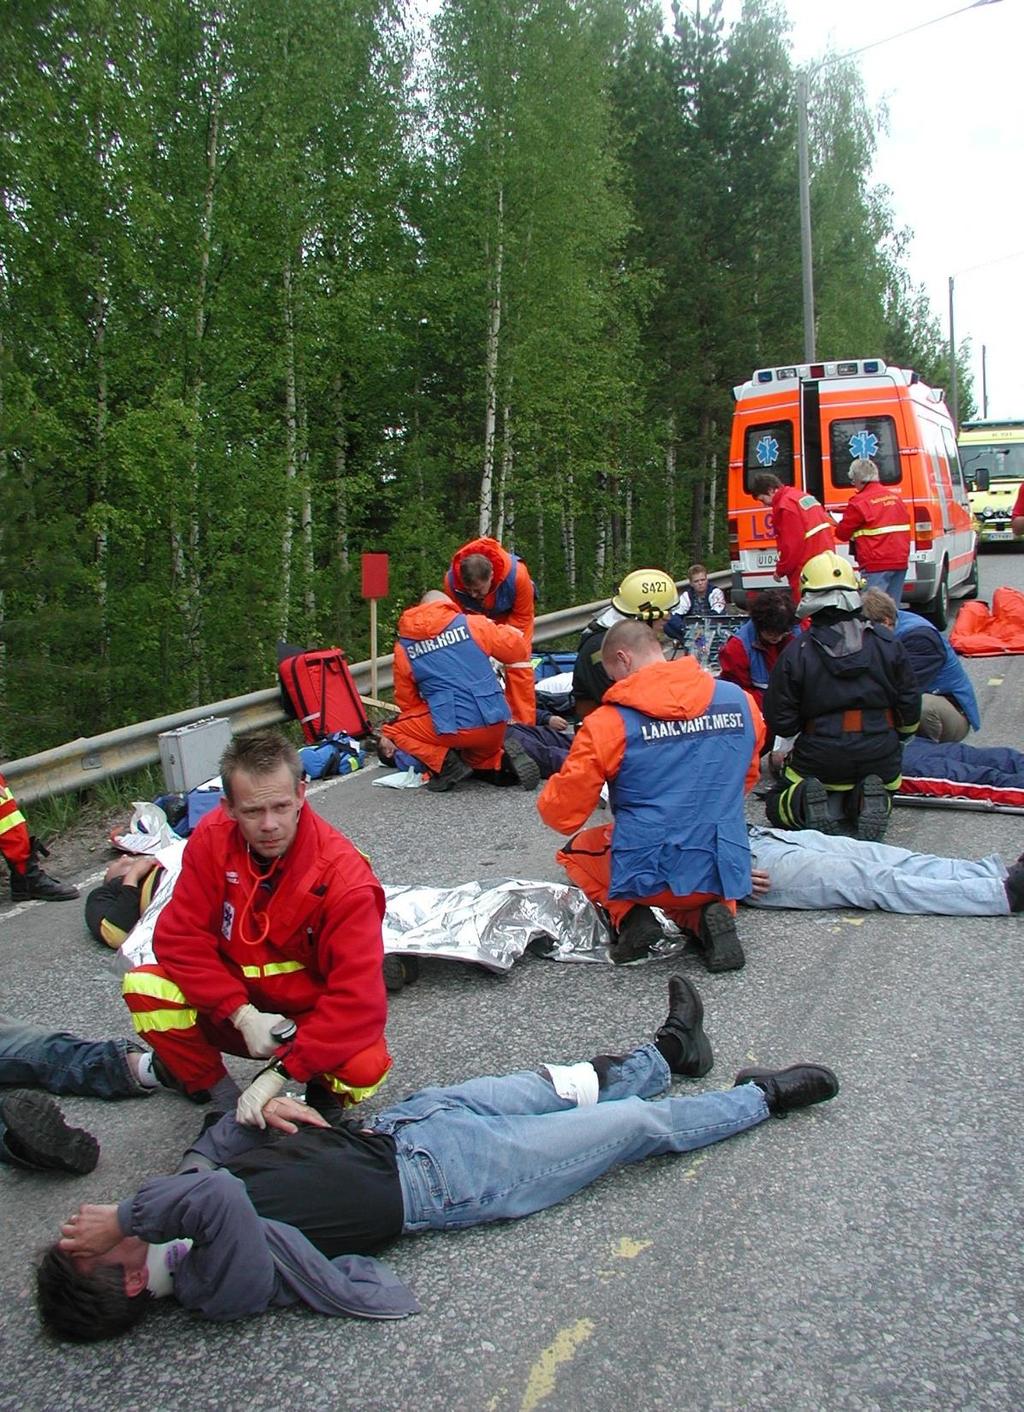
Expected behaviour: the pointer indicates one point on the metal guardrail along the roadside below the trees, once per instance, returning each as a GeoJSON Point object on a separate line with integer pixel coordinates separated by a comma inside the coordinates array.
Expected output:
{"type": "Point", "coordinates": [90, 760]}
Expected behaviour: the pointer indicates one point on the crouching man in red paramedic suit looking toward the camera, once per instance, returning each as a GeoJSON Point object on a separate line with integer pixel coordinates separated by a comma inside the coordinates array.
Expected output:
{"type": "Point", "coordinates": [276, 916]}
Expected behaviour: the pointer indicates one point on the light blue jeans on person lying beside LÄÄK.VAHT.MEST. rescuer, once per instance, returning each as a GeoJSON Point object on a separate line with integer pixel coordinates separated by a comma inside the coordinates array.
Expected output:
{"type": "Point", "coordinates": [810, 870]}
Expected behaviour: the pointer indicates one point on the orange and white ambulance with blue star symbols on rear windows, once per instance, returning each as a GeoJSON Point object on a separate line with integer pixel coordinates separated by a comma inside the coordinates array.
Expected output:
{"type": "Point", "coordinates": [806, 424]}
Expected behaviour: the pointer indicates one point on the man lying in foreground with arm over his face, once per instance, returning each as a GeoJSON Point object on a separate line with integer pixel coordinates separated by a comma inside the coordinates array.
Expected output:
{"type": "Point", "coordinates": [258, 1219]}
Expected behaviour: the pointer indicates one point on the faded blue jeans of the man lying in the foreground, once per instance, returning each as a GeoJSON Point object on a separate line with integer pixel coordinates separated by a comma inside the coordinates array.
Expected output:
{"type": "Point", "coordinates": [492, 1150]}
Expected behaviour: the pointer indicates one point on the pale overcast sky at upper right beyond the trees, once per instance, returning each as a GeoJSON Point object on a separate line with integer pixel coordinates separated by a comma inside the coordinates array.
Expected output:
{"type": "Point", "coordinates": [953, 157]}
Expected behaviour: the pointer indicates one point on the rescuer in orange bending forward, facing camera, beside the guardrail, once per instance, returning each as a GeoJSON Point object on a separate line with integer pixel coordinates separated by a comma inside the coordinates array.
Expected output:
{"type": "Point", "coordinates": [485, 578]}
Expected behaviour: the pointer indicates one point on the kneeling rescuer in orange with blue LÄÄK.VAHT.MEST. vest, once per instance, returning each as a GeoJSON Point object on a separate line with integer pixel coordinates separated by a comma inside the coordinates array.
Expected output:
{"type": "Point", "coordinates": [679, 752]}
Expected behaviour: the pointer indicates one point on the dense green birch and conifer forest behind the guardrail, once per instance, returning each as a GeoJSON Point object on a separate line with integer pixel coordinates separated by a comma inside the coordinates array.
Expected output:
{"type": "Point", "coordinates": [263, 268]}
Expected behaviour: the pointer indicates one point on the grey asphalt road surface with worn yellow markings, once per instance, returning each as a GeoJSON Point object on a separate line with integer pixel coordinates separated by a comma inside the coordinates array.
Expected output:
{"type": "Point", "coordinates": [864, 1255]}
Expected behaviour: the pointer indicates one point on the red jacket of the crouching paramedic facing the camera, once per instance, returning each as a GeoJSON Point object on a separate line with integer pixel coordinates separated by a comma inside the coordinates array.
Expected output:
{"type": "Point", "coordinates": [323, 959]}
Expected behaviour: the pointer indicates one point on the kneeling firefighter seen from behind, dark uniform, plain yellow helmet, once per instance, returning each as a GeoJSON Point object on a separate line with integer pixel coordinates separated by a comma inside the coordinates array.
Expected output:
{"type": "Point", "coordinates": [847, 690]}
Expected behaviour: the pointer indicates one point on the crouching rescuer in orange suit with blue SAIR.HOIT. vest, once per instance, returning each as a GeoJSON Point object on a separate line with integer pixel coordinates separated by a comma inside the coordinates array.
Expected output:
{"type": "Point", "coordinates": [447, 691]}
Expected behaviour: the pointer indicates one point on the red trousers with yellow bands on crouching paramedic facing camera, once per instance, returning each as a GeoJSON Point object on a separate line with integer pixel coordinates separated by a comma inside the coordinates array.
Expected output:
{"type": "Point", "coordinates": [191, 1044]}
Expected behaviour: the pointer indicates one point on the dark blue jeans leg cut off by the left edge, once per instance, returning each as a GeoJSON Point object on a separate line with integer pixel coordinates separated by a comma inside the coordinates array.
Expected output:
{"type": "Point", "coordinates": [61, 1063]}
